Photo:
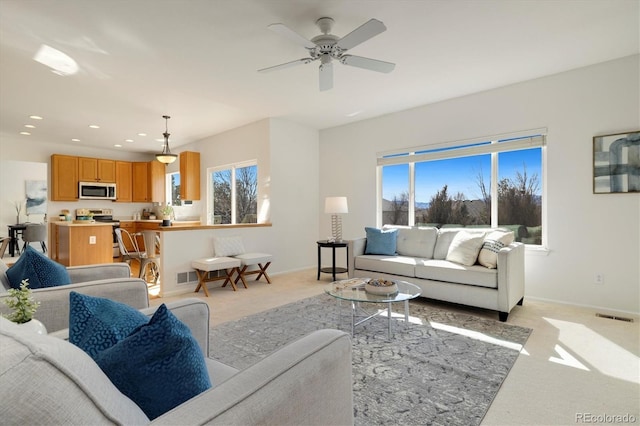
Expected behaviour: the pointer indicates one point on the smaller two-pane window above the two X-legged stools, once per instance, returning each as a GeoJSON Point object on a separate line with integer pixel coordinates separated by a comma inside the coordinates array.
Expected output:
{"type": "Point", "coordinates": [233, 194]}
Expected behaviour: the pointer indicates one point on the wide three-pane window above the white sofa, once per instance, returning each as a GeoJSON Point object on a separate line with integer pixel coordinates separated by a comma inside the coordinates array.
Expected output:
{"type": "Point", "coordinates": [456, 184]}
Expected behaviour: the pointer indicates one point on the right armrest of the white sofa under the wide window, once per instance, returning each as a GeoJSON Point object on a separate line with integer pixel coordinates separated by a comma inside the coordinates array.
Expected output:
{"type": "Point", "coordinates": [510, 276]}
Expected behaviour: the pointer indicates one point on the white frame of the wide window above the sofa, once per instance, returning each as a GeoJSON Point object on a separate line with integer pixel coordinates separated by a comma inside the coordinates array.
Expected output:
{"type": "Point", "coordinates": [494, 145]}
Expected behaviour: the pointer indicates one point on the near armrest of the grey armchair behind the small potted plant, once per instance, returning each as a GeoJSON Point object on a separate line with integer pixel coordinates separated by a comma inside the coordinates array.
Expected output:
{"type": "Point", "coordinates": [53, 311]}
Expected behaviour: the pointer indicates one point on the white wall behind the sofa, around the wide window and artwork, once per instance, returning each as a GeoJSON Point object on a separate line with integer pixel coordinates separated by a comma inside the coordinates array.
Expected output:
{"type": "Point", "coordinates": [588, 233]}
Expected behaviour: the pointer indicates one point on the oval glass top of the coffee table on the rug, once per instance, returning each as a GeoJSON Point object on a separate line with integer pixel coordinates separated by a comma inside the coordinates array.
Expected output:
{"type": "Point", "coordinates": [353, 290]}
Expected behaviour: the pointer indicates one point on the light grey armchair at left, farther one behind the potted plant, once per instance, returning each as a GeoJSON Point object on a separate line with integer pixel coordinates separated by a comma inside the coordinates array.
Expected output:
{"type": "Point", "coordinates": [109, 280]}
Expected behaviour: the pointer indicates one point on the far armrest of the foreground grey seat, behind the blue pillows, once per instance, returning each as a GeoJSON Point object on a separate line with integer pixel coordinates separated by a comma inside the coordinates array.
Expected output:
{"type": "Point", "coordinates": [195, 314]}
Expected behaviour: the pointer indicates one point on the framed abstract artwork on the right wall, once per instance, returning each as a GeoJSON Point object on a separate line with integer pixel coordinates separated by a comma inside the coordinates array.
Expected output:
{"type": "Point", "coordinates": [616, 163]}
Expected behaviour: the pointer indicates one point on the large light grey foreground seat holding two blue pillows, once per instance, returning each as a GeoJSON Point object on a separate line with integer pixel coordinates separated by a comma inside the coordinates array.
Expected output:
{"type": "Point", "coordinates": [47, 380]}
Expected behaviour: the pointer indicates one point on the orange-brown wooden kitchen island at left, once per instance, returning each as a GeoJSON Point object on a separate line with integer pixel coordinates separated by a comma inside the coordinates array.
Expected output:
{"type": "Point", "coordinates": [74, 244]}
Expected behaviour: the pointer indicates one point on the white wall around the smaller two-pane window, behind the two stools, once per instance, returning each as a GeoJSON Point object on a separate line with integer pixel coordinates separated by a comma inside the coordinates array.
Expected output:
{"type": "Point", "coordinates": [288, 190]}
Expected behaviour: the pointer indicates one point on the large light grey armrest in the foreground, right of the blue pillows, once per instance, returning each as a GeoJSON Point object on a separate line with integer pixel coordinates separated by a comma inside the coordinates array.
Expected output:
{"type": "Point", "coordinates": [306, 382]}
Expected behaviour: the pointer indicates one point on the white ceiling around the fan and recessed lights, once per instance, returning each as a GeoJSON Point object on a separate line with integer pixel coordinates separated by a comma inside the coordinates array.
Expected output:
{"type": "Point", "coordinates": [196, 60]}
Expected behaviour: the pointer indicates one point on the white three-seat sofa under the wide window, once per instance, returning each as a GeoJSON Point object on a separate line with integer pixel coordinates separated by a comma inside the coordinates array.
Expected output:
{"type": "Point", "coordinates": [421, 259]}
